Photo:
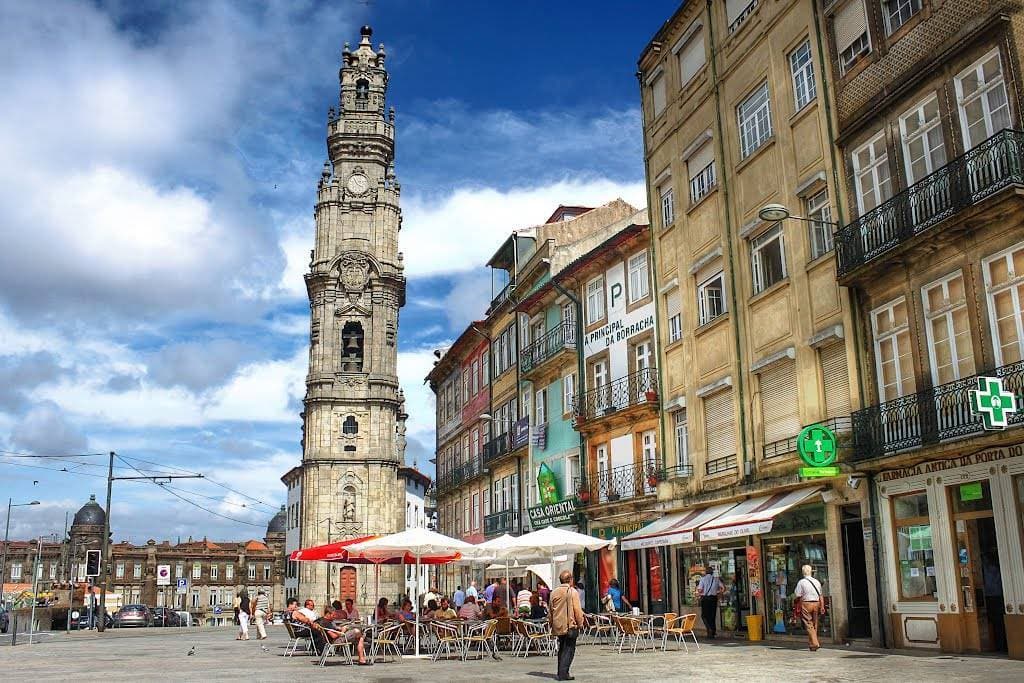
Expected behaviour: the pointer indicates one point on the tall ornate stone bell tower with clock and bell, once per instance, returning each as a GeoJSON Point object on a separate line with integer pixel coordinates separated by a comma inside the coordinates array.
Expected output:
{"type": "Point", "coordinates": [354, 406]}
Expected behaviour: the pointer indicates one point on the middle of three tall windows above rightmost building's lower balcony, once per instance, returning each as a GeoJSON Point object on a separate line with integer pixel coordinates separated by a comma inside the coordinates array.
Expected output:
{"type": "Point", "coordinates": [948, 329]}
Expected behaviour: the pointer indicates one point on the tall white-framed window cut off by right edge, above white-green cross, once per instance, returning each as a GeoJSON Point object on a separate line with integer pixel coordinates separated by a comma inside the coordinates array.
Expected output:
{"type": "Point", "coordinates": [1005, 290]}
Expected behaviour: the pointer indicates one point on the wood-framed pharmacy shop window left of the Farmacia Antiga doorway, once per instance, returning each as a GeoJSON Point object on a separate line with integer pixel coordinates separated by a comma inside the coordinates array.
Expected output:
{"type": "Point", "coordinates": [915, 556]}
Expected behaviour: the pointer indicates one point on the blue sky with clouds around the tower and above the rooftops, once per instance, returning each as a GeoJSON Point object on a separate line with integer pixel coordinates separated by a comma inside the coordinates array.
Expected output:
{"type": "Point", "coordinates": [156, 198]}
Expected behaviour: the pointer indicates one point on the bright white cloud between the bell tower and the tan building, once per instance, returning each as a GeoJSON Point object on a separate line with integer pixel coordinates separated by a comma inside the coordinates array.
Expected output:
{"type": "Point", "coordinates": [475, 222]}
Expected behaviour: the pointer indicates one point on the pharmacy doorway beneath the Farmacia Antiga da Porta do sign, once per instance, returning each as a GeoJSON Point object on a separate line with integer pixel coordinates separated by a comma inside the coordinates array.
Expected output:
{"type": "Point", "coordinates": [978, 566]}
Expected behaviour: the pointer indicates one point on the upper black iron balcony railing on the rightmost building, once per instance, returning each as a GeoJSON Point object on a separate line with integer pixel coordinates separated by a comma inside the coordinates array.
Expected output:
{"type": "Point", "coordinates": [988, 168]}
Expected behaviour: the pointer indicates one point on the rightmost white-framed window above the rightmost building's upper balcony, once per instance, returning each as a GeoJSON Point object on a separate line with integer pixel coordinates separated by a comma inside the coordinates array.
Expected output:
{"type": "Point", "coordinates": [982, 94]}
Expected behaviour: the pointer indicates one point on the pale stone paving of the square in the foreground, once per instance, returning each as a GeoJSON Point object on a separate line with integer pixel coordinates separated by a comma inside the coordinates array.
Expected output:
{"type": "Point", "coordinates": [158, 655]}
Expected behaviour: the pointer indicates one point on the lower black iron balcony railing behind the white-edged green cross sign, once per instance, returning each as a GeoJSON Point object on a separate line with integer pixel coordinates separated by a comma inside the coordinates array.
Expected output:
{"type": "Point", "coordinates": [938, 414]}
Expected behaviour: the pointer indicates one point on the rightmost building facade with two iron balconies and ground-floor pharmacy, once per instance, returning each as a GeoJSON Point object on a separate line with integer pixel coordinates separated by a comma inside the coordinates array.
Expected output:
{"type": "Point", "coordinates": [928, 112]}
